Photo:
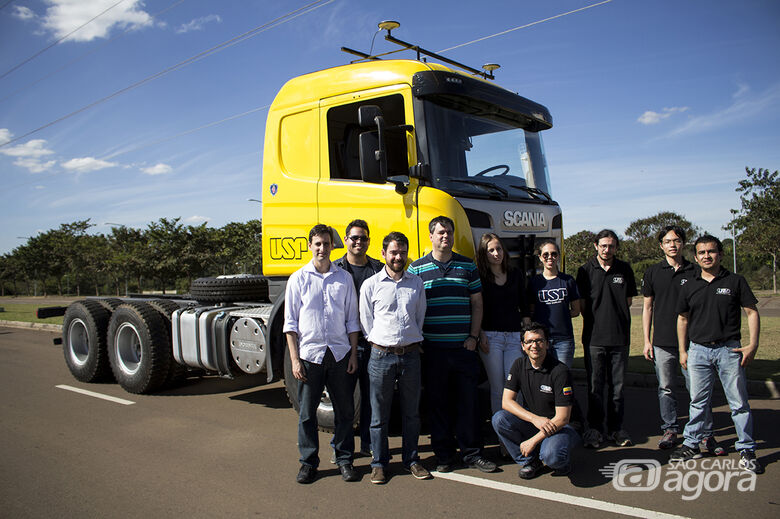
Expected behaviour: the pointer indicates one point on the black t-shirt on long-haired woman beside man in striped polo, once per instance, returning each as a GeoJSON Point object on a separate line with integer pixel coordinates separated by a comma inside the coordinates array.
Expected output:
{"type": "Point", "coordinates": [504, 305]}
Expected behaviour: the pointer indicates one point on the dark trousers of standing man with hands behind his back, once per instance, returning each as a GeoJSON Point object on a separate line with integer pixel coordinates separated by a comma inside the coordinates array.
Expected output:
{"type": "Point", "coordinates": [605, 366]}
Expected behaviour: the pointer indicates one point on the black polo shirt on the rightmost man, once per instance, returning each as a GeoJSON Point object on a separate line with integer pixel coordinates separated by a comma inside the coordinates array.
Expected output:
{"type": "Point", "coordinates": [715, 308]}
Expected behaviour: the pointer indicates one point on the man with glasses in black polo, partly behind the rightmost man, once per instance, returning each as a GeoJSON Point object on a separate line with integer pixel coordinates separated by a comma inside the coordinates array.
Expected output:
{"type": "Point", "coordinates": [660, 288]}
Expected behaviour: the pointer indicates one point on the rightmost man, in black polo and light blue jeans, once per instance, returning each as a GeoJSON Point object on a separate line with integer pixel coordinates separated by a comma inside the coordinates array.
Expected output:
{"type": "Point", "coordinates": [709, 310]}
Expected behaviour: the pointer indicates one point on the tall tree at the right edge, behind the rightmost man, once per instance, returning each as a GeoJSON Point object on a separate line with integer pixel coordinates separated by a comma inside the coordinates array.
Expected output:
{"type": "Point", "coordinates": [757, 222]}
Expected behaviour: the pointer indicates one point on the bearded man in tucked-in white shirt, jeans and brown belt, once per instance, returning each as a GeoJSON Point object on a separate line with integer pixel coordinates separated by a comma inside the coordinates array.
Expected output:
{"type": "Point", "coordinates": [392, 311]}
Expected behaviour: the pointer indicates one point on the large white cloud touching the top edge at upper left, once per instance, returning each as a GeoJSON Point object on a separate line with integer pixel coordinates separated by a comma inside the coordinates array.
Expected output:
{"type": "Point", "coordinates": [64, 16]}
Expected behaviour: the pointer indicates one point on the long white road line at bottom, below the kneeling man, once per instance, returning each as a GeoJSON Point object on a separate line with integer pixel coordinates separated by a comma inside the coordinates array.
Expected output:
{"type": "Point", "coordinates": [594, 504]}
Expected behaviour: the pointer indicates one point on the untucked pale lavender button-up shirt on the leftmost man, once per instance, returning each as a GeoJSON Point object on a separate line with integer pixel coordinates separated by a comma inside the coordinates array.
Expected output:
{"type": "Point", "coordinates": [322, 309]}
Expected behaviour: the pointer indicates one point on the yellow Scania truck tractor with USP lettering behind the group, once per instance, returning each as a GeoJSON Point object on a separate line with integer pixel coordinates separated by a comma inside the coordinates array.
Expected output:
{"type": "Point", "coordinates": [395, 142]}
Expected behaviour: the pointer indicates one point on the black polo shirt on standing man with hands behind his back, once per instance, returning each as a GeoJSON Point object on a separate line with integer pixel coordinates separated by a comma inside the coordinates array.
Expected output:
{"type": "Point", "coordinates": [606, 316]}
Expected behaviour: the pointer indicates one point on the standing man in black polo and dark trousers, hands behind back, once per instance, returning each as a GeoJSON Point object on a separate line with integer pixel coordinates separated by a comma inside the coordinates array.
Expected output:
{"type": "Point", "coordinates": [606, 285]}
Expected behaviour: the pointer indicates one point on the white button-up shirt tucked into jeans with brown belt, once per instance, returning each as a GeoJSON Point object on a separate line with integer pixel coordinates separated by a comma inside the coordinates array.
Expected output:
{"type": "Point", "coordinates": [392, 312]}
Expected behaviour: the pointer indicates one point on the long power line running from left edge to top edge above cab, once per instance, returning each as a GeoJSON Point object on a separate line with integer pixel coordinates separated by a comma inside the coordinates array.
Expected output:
{"type": "Point", "coordinates": [213, 50]}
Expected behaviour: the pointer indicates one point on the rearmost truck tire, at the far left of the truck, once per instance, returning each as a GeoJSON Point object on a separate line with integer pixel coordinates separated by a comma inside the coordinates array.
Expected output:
{"type": "Point", "coordinates": [84, 329]}
